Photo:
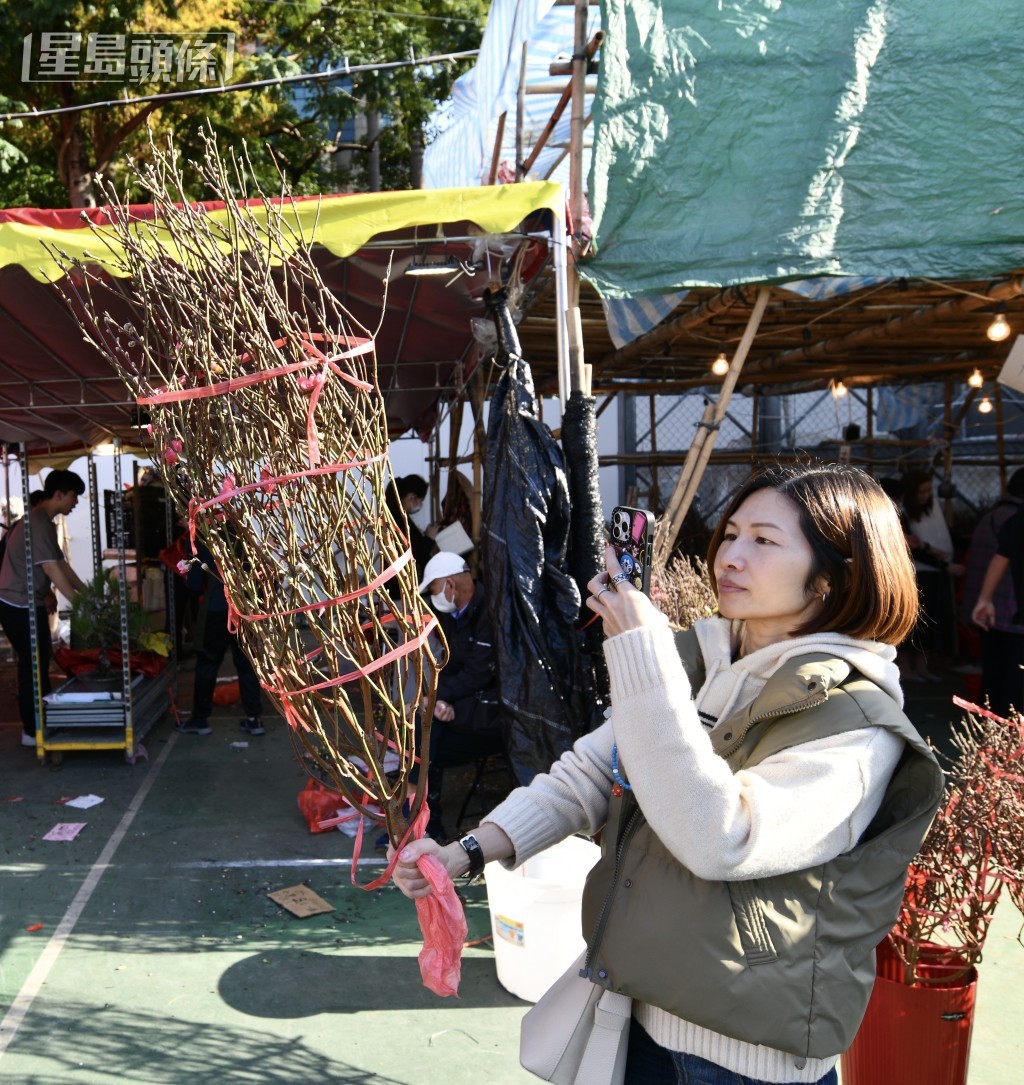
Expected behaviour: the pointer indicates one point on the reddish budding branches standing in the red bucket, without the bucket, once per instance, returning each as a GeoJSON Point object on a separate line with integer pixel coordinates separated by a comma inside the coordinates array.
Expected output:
{"type": "Point", "coordinates": [972, 852]}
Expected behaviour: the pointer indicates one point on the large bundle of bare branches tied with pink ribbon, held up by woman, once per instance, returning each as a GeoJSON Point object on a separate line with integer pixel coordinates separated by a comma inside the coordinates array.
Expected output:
{"type": "Point", "coordinates": [270, 429]}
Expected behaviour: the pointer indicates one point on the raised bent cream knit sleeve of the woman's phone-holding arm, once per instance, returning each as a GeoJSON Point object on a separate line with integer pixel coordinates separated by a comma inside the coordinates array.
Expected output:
{"type": "Point", "coordinates": [799, 808]}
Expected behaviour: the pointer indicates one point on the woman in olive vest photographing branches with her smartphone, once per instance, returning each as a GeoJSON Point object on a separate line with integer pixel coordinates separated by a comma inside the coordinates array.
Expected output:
{"type": "Point", "coordinates": [759, 790]}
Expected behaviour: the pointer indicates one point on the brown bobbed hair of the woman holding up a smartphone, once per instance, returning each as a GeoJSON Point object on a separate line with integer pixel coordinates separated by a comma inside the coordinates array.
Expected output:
{"type": "Point", "coordinates": [859, 546]}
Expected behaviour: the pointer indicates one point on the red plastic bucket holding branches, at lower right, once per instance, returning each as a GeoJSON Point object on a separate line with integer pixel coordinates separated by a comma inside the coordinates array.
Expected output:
{"type": "Point", "coordinates": [915, 1036]}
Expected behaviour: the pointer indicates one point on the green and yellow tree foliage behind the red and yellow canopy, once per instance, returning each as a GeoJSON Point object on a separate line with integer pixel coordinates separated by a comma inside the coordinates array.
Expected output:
{"type": "Point", "coordinates": [315, 131]}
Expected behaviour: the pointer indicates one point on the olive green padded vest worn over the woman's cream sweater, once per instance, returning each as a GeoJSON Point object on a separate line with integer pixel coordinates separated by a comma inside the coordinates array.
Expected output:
{"type": "Point", "coordinates": [788, 961]}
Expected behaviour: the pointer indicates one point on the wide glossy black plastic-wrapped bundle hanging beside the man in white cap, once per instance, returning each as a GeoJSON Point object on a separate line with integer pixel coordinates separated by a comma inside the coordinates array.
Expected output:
{"type": "Point", "coordinates": [534, 602]}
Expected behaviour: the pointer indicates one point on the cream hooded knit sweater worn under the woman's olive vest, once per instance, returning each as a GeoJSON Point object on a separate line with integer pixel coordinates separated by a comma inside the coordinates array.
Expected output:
{"type": "Point", "coordinates": [795, 810]}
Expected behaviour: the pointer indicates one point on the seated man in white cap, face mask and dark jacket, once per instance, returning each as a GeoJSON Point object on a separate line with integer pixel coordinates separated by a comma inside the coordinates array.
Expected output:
{"type": "Point", "coordinates": [467, 722]}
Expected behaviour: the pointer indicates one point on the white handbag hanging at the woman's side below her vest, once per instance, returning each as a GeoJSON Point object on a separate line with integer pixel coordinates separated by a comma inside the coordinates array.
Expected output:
{"type": "Point", "coordinates": [578, 1033]}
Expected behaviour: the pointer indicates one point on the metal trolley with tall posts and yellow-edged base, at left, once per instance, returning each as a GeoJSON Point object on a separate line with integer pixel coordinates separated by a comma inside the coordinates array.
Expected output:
{"type": "Point", "coordinates": [106, 709]}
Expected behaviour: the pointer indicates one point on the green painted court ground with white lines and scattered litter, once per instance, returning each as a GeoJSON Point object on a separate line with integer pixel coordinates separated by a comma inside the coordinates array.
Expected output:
{"type": "Point", "coordinates": [181, 971]}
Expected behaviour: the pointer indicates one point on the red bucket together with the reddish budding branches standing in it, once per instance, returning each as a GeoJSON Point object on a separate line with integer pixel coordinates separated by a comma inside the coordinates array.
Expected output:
{"type": "Point", "coordinates": [917, 1030]}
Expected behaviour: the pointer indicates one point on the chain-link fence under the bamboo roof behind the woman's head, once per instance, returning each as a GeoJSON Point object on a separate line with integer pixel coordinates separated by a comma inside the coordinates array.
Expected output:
{"type": "Point", "coordinates": [889, 432]}
